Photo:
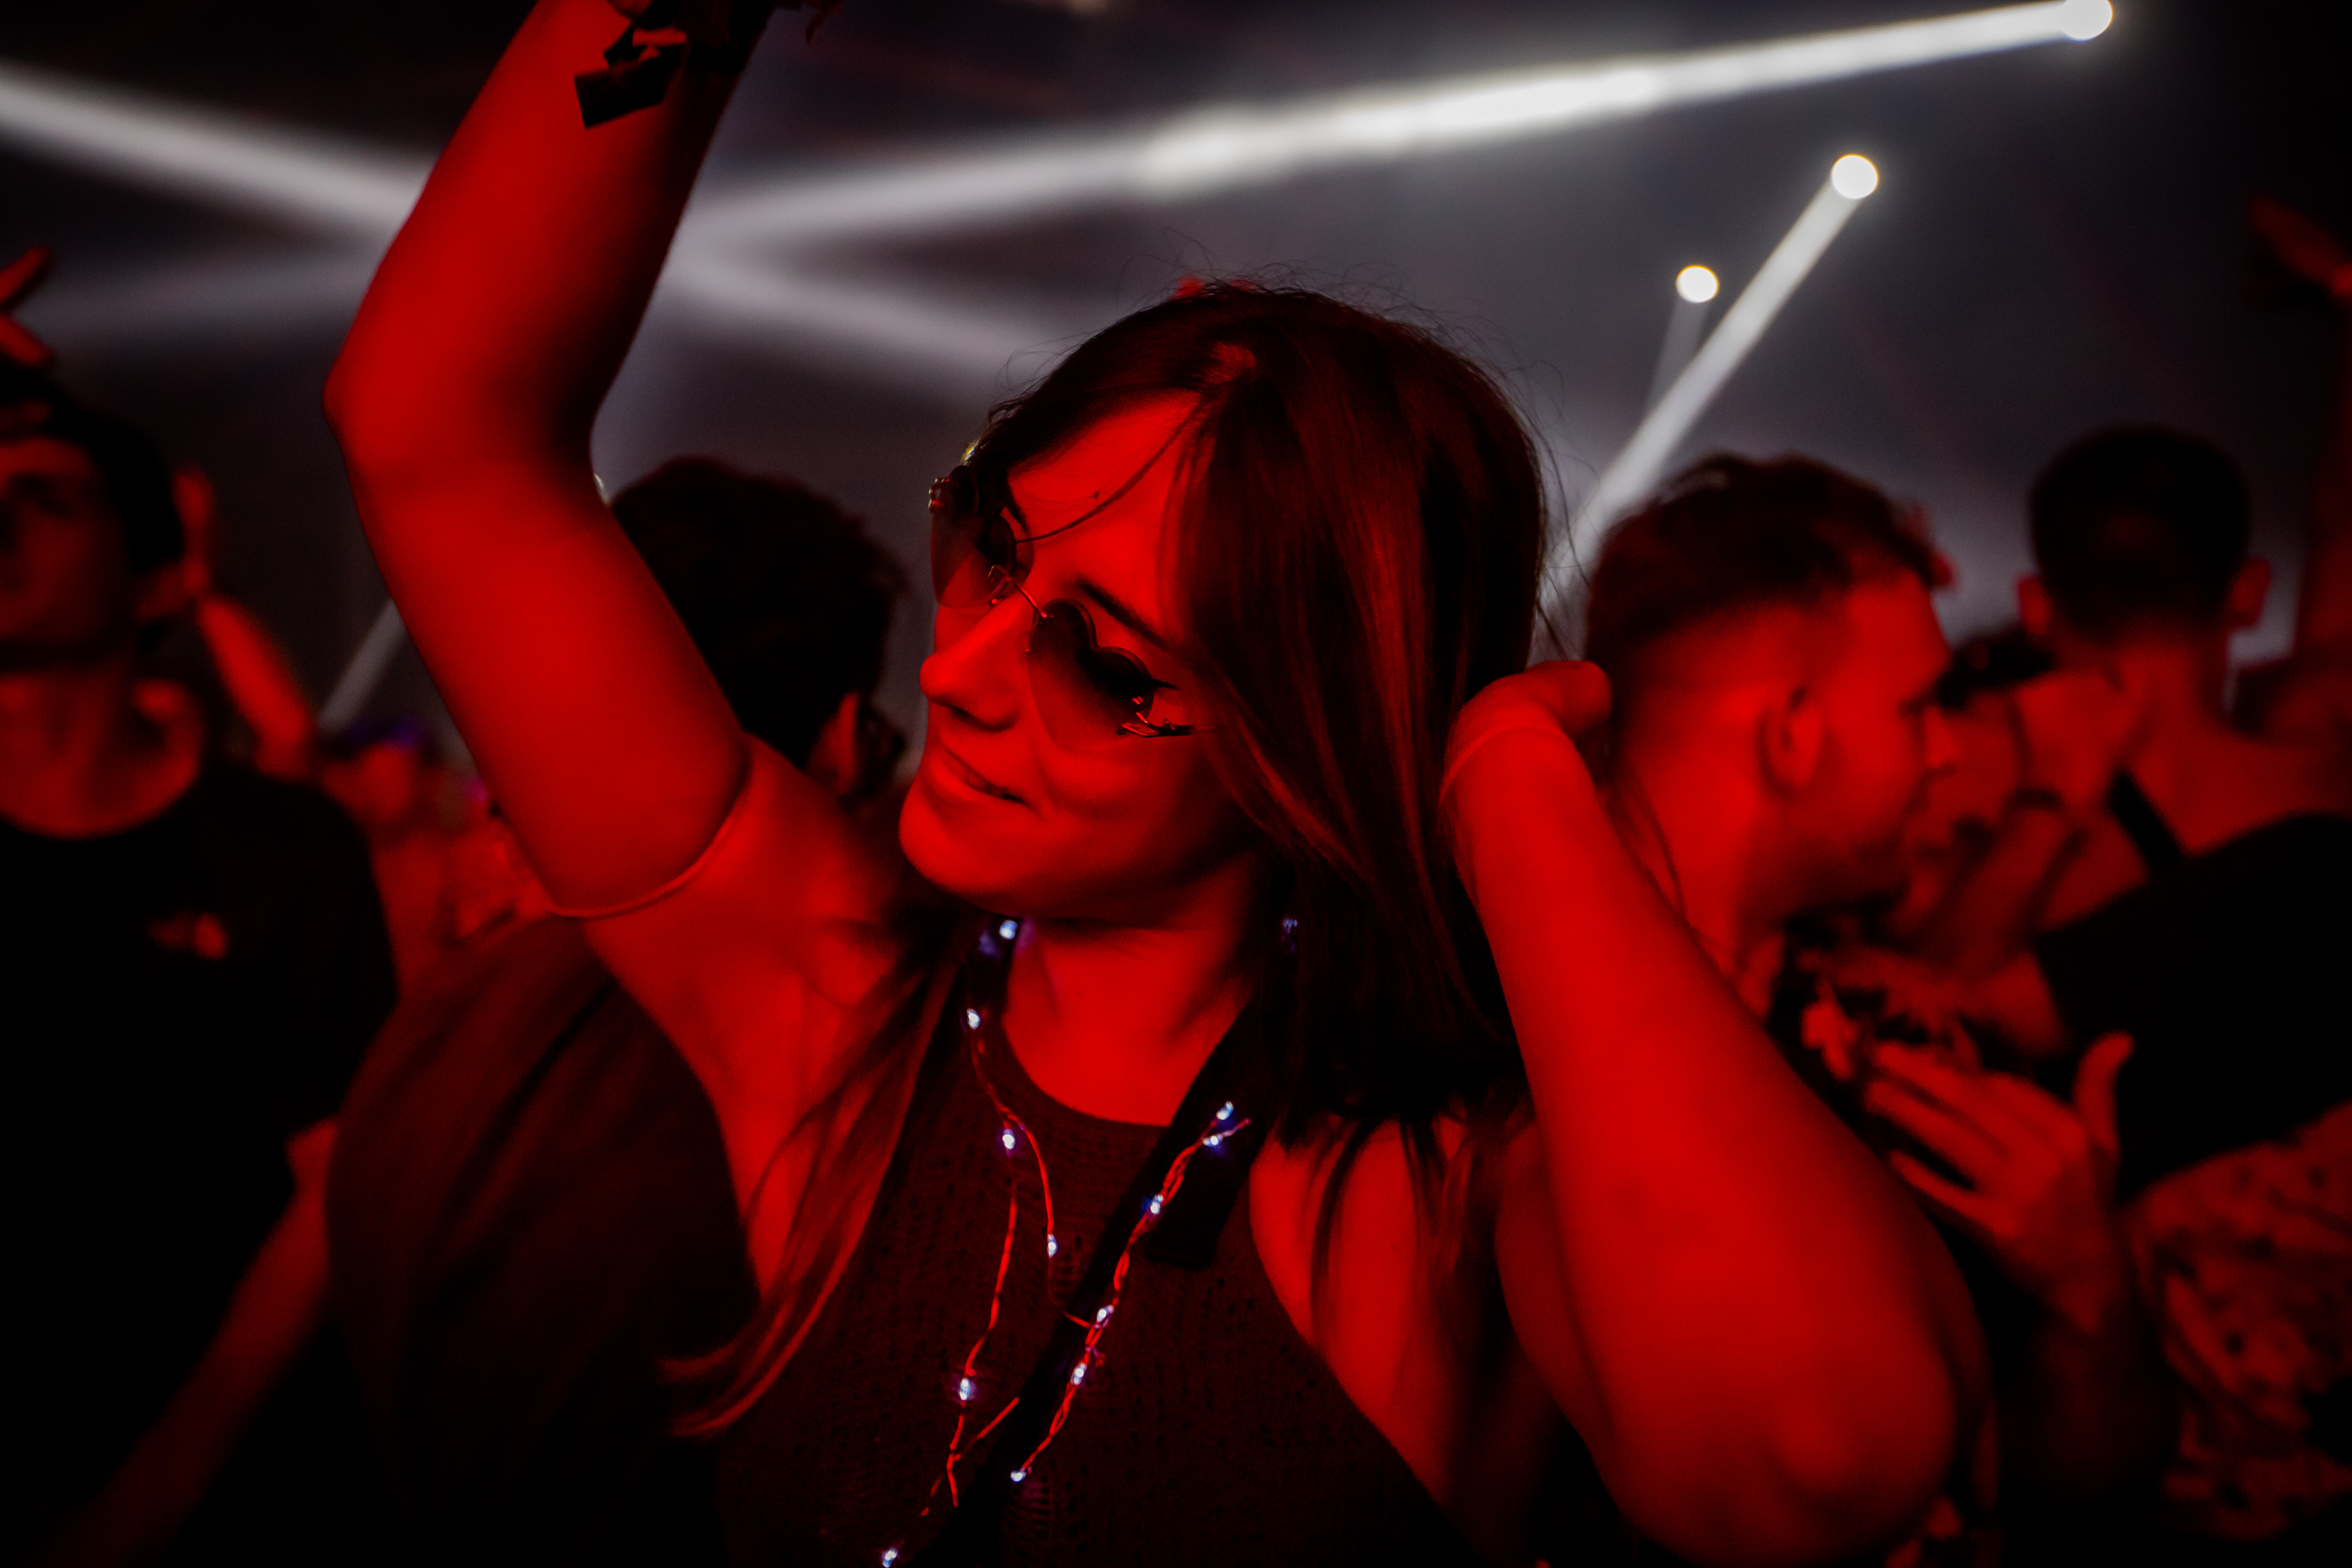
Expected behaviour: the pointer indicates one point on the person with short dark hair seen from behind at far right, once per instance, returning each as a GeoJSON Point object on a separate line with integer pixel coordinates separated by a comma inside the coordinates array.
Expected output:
{"type": "Point", "coordinates": [2200, 909]}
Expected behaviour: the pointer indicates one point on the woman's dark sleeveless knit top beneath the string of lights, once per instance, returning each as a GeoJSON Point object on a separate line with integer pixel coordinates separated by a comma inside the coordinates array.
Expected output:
{"type": "Point", "coordinates": [1210, 1430]}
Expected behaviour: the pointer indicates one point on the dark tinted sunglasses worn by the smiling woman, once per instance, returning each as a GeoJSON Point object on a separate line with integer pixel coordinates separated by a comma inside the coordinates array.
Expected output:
{"type": "Point", "coordinates": [1085, 695]}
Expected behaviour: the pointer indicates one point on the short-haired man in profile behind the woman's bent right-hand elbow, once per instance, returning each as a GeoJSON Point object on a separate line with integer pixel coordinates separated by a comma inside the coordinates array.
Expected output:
{"type": "Point", "coordinates": [1775, 662]}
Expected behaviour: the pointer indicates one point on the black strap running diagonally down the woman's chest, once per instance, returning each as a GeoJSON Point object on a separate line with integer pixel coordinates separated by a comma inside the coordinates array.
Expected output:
{"type": "Point", "coordinates": [1184, 1235]}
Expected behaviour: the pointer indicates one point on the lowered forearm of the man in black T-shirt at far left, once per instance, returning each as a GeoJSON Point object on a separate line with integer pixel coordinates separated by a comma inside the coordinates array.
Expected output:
{"type": "Point", "coordinates": [272, 1318]}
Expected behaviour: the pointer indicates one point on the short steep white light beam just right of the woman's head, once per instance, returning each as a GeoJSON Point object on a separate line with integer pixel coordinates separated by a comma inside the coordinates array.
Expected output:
{"type": "Point", "coordinates": [1669, 422]}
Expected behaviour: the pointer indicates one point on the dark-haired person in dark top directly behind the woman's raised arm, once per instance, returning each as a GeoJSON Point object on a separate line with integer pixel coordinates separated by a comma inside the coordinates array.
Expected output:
{"type": "Point", "coordinates": [533, 1212]}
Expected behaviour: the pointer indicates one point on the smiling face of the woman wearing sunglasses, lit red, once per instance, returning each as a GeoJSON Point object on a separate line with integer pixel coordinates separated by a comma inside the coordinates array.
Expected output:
{"type": "Point", "coordinates": [1008, 817]}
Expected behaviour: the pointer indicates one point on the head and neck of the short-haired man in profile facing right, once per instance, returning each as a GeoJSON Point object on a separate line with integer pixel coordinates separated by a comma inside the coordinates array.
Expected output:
{"type": "Point", "coordinates": [1775, 659]}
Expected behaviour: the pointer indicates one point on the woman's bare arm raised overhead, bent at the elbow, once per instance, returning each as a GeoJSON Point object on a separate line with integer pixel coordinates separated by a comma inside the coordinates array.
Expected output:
{"type": "Point", "coordinates": [465, 401]}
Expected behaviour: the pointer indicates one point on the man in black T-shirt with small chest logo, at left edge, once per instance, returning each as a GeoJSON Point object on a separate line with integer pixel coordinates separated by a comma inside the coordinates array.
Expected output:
{"type": "Point", "coordinates": [192, 960]}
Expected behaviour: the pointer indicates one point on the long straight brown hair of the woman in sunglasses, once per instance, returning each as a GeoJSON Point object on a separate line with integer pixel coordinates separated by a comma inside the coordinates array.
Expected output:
{"type": "Point", "coordinates": [1361, 544]}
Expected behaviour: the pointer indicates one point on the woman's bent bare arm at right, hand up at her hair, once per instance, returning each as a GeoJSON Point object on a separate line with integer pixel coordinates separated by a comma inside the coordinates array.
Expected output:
{"type": "Point", "coordinates": [1751, 1325]}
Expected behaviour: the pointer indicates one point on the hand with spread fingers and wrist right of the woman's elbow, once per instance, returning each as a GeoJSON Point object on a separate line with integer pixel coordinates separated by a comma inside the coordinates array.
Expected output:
{"type": "Point", "coordinates": [2090, 1414]}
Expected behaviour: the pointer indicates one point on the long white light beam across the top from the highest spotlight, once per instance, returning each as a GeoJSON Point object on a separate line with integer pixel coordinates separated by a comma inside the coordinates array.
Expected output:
{"type": "Point", "coordinates": [1222, 149]}
